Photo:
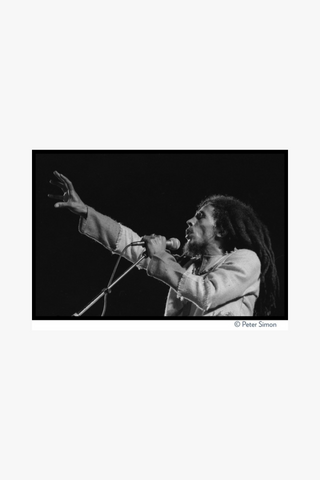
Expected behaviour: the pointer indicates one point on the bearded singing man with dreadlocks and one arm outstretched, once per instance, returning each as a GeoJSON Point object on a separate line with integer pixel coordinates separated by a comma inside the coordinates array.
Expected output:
{"type": "Point", "coordinates": [227, 267]}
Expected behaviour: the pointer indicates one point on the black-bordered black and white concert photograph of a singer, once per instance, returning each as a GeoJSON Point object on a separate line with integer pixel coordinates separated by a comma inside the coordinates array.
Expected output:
{"type": "Point", "coordinates": [160, 234]}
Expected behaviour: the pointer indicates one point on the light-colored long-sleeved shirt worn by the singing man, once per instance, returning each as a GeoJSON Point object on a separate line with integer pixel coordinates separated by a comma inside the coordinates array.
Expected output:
{"type": "Point", "coordinates": [228, 287]}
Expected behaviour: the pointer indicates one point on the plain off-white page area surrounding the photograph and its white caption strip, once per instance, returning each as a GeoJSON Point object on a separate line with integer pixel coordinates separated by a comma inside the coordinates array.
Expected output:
{"type": "Point", "coordinates": [159, 405]}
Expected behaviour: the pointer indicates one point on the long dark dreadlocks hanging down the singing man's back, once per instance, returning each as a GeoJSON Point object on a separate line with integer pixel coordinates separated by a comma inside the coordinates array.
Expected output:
{"type": "Point", "coordinates": [241, 228]}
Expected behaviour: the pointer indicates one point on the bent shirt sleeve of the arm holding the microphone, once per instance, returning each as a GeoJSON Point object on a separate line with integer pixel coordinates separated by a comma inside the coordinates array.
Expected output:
{"type": "Point", "coordinates": [236, 277]}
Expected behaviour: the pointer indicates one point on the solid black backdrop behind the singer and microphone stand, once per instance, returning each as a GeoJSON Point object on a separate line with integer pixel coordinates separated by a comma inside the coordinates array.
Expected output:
{"type": "Point", "coordinates": [151, 192]}
